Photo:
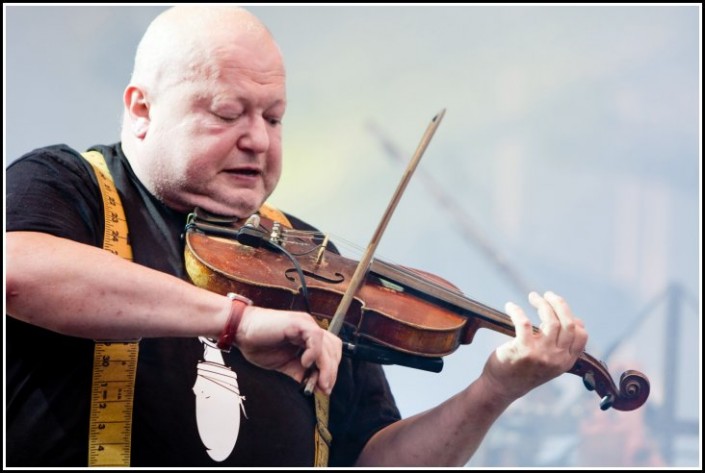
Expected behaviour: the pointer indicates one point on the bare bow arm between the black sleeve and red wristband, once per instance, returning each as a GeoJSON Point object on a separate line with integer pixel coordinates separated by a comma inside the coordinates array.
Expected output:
{"type": "Point", "coordinates": [84, 291]}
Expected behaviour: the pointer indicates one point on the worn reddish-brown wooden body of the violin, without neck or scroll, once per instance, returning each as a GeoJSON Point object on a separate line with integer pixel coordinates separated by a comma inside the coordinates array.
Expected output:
{"type": "Point", "coordinates": [380, 313]}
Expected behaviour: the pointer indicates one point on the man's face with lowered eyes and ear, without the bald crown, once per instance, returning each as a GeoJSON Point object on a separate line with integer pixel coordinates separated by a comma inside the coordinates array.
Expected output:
{"type": "Point", "coordinates": [215, 141]}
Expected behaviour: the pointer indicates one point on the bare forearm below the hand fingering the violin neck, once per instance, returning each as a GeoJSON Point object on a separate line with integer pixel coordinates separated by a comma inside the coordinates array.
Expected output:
{"type": "Point", "coordinates": [447, 435]}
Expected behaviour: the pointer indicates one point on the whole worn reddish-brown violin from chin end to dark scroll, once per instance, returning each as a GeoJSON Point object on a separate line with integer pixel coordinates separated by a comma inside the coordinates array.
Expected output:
{"type": "Point", "coordinates": [397, 316]}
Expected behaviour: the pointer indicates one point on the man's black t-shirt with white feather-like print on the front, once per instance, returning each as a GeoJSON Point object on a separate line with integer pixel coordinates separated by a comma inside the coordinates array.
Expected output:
{"type": "Point", "coordinates": [54, 190]}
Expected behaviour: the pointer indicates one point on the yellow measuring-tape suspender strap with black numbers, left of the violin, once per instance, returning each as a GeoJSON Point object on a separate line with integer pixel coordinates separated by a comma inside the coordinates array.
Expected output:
{"type": "Point", "coordinates": [114, 362]}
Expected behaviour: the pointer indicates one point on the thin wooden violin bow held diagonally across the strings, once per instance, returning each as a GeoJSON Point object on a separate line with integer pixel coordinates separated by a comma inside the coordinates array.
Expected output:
{"type": "Point", "coordinates": [364, 264]}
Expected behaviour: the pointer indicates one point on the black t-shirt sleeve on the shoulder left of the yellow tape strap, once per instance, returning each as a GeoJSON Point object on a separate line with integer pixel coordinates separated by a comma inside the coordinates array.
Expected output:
{"type": "Point", "coordinates": [53, 190]}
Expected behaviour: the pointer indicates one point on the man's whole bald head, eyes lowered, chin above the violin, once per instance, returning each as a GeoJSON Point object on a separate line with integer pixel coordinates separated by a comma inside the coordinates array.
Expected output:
{"type": "Point", "coordinates": [203, 111]}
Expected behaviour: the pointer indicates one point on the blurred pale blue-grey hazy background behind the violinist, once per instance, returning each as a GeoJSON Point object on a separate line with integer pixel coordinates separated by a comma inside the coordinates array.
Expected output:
{"type": "Point", "coordinates": [568, 159]}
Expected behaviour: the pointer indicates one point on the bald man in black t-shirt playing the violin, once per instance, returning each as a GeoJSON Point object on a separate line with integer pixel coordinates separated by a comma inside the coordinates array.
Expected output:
{"type": "Point", "coordinates": [202, 128]}
